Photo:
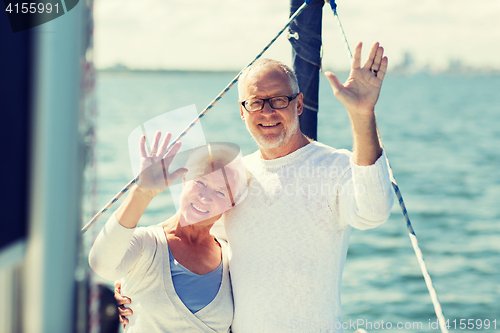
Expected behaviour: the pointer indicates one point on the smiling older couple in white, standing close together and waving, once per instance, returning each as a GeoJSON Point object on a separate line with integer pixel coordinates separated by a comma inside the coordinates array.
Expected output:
{"type": "Point", "coordinates": [281, 268]}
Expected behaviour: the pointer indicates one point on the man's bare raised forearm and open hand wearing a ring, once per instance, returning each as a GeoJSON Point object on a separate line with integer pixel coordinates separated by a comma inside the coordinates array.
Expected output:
{"type": "Point", "coordinates": [359, 95]}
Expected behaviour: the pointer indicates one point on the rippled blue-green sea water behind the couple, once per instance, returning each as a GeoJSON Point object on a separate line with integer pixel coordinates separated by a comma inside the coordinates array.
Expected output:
{"type": "Point", "coordinates": [442, 136]}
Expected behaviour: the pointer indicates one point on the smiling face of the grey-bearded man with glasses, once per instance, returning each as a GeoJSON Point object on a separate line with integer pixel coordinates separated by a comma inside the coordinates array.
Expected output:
{"type": "Point", "coordinates": [271, 128]}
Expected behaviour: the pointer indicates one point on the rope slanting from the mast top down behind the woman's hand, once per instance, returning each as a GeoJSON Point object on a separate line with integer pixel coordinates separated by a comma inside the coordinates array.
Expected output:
{"type": "Point", "coordinates": [193, 123]}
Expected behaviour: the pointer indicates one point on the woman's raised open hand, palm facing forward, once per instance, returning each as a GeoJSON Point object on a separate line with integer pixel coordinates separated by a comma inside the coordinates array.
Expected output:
{"type": "Point", "coordinates": [154, 175]}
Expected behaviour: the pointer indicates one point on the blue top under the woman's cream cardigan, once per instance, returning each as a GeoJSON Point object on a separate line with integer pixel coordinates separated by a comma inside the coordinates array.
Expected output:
{"type": "Point", "coordinates": [195, 291]}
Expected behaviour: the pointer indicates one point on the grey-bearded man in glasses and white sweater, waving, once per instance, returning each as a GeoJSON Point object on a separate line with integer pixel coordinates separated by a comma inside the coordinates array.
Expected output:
{"type": "Point", "coordinates": [288, 239]}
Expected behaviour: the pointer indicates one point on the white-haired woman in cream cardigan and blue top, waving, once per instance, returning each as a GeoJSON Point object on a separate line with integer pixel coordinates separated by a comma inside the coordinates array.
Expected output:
{"type": "Point", "coordinates": [176, 272]}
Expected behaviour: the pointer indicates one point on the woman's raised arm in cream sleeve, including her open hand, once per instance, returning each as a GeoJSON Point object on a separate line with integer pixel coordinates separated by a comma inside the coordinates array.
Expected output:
{"type": "Point", "coordinates": [118, 246]}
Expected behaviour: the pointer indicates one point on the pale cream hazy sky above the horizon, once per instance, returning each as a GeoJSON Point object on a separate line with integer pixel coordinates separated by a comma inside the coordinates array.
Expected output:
{"type": "Point", "coordinates": [227, 34]}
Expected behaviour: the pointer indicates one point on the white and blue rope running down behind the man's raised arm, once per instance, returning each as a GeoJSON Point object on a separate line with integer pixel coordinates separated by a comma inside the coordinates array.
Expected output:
{"type": "Point", "coordinates": [411, 232]}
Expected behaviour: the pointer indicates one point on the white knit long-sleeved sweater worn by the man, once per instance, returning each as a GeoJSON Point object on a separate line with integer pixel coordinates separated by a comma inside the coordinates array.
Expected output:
{"type": "Point", "coordinates": [288, 239]}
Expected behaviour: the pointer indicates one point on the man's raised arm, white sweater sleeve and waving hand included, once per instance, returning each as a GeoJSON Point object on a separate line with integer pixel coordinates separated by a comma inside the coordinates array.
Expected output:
{"type": "Point", "coordinates": [373, 196]}
